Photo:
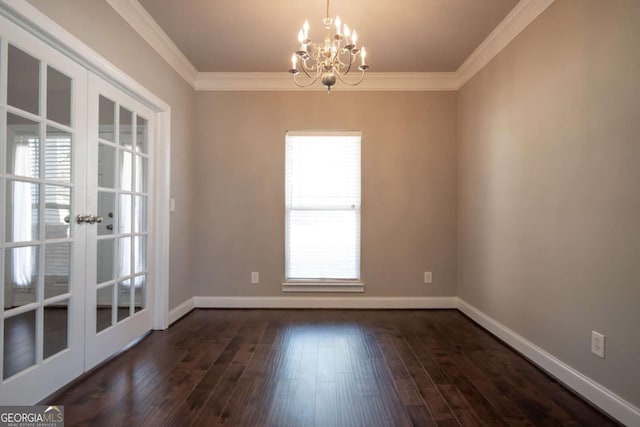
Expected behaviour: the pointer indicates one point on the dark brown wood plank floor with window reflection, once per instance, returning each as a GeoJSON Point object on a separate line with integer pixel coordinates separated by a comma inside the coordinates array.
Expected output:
{"type": "Point", "coordinates": [322, 368]}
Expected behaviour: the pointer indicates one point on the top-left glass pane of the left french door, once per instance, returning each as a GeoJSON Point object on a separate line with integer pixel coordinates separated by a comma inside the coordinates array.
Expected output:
{"type": "Point", "coordinates": [23, 81]}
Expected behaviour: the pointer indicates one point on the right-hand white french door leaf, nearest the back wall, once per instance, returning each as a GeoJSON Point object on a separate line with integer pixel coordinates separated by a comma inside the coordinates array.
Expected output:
{"type": "Point", "coordinates": [119, 189]}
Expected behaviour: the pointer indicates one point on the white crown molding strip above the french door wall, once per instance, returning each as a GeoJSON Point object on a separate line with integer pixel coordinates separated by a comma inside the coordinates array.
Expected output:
{"type": "Point", "coordinates": [140, 20]}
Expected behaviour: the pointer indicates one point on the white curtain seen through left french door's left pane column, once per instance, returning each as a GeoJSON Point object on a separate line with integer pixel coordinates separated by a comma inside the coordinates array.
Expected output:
{"type": "Point", "coordinates": [22, 263]}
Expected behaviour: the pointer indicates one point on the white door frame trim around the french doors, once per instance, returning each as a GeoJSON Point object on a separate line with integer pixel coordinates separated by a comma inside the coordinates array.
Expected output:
{"type": "Point", "coordinates": [45, 29]}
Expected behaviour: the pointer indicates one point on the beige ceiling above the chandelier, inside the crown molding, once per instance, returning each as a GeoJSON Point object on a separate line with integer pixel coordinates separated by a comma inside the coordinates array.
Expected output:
{"type": "Point", "coordinates": [260, 35]}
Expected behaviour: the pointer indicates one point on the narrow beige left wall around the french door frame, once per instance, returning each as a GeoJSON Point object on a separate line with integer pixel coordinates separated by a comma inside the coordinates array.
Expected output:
{"type": "Point", "coordinates": [100, 27]}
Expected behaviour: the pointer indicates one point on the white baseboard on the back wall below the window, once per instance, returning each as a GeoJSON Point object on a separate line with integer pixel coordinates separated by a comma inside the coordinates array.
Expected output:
{"type": "Point", "coordinates": [326, 302]}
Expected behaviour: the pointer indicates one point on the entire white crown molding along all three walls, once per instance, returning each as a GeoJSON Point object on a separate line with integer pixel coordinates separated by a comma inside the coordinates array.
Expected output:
{"type": "Point", "coordinates": [512, 25]}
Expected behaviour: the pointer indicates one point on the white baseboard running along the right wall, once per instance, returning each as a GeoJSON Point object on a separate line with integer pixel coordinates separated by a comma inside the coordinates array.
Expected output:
{"type": "Point", "coordinates": [600, 396]}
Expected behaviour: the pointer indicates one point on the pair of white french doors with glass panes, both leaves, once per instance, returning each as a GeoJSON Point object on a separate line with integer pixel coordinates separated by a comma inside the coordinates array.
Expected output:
{"type": "Point", "coordinates": [75, 197]}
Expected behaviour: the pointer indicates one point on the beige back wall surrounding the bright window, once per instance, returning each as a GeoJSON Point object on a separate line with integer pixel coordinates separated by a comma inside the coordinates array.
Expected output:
{"type": "Point", "coordinates": [408, 187]}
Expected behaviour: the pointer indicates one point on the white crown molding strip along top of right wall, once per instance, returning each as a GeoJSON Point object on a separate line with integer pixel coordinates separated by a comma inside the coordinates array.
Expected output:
{"type": "Point", "coordinates": [512, 25]}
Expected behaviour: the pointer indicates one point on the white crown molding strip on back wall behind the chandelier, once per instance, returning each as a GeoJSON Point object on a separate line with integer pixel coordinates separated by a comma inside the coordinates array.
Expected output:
{"type": "Point", "coordinates": [282, 81]}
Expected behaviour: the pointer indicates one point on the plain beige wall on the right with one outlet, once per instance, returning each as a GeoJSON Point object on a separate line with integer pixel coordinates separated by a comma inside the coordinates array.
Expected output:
{"type": "Point", "coordinates": [549, 195]}
